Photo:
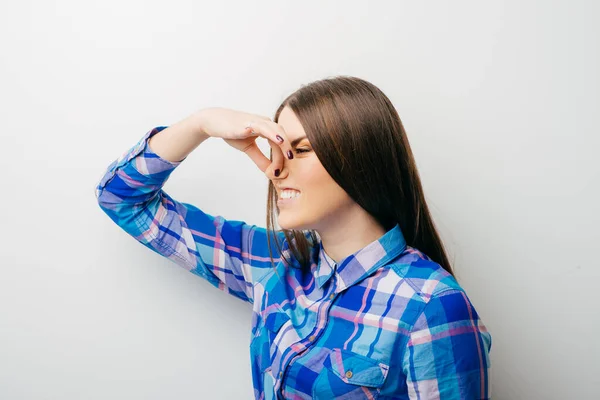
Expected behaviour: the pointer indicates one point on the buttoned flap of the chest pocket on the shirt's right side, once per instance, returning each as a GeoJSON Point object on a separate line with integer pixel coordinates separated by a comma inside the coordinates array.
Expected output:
{"type": "Point", "coordinates": [357, 369]}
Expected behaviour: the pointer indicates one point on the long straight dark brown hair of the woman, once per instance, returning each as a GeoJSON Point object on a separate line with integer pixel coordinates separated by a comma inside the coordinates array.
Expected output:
{"type": "Point", "coordinates": [359, 139]}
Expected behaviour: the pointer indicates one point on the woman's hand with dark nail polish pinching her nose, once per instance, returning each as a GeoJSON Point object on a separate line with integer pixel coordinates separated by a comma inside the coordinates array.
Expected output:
{"type": "Point", "coordinates": [240, 130]}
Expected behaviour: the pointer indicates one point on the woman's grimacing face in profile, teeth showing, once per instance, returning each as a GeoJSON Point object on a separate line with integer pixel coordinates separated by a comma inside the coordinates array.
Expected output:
{"type": "Point", "coordinates": [321, 201]}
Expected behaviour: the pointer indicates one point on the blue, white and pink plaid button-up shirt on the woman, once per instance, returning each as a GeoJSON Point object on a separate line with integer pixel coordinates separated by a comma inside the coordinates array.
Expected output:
{"type": "Point", "coordinates": [384, 323]}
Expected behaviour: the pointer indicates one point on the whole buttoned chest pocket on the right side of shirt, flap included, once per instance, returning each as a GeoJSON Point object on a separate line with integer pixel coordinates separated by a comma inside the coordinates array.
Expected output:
{"type": "Point", "coordinates": [348, 375]}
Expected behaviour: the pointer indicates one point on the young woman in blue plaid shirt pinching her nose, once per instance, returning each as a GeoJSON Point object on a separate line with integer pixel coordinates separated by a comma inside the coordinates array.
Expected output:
{"type": "Point", "coordinates": [359, 301]}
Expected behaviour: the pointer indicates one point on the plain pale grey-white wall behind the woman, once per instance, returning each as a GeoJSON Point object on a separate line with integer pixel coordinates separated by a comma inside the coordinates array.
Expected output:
{"type": "Point", "coordinates": [500, 101]}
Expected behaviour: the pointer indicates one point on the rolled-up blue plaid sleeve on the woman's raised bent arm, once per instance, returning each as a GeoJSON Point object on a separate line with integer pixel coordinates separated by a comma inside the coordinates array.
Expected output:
{"type": "Point", "coordinates": [231, 255]}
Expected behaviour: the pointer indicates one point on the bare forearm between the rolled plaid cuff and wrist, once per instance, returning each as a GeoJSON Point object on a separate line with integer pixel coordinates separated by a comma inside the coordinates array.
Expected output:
{"type": "Point", "coordinates": [175, 142]}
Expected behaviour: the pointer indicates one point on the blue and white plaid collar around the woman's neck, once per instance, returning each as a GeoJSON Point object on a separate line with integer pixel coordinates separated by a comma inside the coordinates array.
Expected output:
{"type": "Point", "coordinates": [362, 263]}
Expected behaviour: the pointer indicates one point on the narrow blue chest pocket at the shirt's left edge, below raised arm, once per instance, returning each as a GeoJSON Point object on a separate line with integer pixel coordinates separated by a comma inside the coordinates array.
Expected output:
{"type": "Point", "coordinates": [262, 345]}
